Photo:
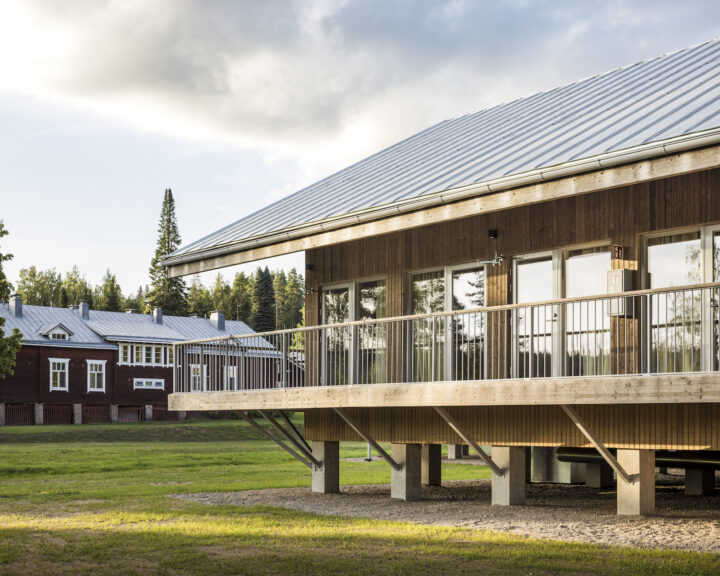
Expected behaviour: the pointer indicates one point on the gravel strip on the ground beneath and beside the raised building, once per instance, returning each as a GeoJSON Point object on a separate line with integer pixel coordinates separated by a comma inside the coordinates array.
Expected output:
{"type": "Point", "coordinates": [556, 512]}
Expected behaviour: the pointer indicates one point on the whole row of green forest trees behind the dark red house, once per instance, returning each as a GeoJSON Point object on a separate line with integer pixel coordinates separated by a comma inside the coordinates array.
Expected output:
{"type": "Point", "coordinates": [266, 300]}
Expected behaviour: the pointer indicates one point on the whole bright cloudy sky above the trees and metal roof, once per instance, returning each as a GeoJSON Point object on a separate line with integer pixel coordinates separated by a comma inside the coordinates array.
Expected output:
{"type": "Point", "coordinates": [235, 104]}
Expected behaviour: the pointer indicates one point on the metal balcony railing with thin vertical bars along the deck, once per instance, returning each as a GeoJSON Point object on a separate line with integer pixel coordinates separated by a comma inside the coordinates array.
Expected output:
{"type": "Point", "coordinates": [642, 332]}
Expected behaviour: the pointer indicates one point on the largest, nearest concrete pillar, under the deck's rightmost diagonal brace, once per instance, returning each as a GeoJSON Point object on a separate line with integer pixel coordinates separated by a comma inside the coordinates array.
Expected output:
{"type": "Point", "coordinates": [637, 497]}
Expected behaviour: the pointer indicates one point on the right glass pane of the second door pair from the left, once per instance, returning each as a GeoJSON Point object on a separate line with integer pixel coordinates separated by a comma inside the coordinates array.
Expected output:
{"type": "Point", "coordinates": [467, 331]}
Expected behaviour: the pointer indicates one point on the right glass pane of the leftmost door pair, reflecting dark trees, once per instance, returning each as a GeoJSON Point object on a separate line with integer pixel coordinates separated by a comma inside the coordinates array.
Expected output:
{"type": "Point", "coordinates": [372, 338]}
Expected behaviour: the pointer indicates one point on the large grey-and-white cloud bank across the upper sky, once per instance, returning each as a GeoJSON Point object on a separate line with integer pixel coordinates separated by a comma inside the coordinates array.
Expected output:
{"type": "Point", "coordinates": [320, 81]}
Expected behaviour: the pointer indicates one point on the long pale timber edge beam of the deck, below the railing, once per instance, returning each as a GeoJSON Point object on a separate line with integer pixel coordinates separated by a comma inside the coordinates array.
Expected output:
{"type": "Point", "coordinates": [697, 388]}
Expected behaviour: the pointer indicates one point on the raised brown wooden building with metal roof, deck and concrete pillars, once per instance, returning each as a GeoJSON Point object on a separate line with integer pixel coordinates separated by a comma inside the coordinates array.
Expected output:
{"type": "Point", "coordinates": [539, 274]}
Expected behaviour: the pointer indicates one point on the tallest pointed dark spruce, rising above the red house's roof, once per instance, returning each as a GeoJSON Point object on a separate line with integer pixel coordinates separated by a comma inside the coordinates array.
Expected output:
{"type": "Point", "coordinates": [167, 293]}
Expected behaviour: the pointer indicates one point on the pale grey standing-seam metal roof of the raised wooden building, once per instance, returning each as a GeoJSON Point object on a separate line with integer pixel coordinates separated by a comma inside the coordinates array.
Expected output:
{"type": "Point", "coordinates": [652, 101]}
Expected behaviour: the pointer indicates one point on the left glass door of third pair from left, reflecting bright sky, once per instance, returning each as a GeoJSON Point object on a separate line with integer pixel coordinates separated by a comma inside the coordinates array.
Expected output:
{"type": "Point", "coordinates": [533, 326]}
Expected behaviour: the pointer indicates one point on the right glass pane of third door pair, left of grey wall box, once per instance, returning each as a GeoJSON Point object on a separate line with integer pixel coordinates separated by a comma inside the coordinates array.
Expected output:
{"type": "Point", "coordinates": [587, 324]}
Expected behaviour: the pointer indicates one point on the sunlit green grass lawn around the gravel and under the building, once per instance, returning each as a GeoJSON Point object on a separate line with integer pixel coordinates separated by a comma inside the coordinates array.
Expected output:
{"type": "Point", "coordinates": [94, 500]}
